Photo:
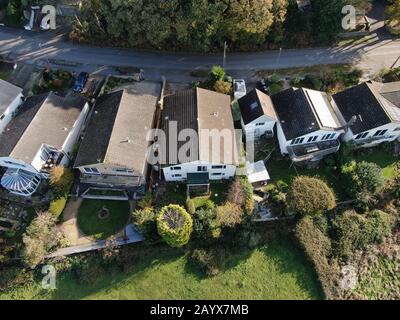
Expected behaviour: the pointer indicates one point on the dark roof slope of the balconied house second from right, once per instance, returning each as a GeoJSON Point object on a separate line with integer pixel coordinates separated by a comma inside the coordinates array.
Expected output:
{"type": "Point", "coordinates": [295, 113]}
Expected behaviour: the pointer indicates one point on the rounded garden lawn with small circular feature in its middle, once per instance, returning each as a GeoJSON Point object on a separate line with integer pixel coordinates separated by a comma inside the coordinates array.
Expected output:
{"type": "Point", "coordinates": [90, 223]}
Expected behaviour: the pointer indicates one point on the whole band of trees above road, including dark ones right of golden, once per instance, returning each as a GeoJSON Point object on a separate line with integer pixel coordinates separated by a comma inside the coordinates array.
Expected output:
{"type": "Point", "coordinates": [203, 25]}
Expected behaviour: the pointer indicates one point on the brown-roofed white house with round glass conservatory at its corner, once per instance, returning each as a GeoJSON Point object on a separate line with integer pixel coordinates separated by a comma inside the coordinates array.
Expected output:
{"type": "Point", "coordinates": [42, 135]}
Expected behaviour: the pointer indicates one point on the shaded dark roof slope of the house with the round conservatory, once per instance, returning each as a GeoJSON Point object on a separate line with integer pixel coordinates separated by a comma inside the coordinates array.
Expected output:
{"type": "Point", "coordinates": [15, 129]}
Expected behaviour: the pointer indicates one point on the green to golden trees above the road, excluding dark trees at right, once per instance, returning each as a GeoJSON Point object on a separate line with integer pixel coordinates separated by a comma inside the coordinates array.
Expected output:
{"type": "Point", "coordinates": [199, 25]}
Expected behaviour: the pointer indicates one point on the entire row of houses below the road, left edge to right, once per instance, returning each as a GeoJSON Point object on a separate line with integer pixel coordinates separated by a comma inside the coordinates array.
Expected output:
{"type": "Point", "coordinates": [109, 143]}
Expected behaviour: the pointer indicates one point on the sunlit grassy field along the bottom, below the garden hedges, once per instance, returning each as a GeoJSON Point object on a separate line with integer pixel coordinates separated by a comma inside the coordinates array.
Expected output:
{"type": "Point", "coordinates": [274, 271]}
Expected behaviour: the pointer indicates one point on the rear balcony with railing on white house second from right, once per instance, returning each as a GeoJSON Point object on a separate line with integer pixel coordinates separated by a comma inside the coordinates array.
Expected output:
{"type": "Point", "coordinates": [313, 151]}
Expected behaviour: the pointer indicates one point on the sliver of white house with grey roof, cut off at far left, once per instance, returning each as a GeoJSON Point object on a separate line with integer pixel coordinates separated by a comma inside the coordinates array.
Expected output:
{"type": "Point", "coordinates": [10, 100]}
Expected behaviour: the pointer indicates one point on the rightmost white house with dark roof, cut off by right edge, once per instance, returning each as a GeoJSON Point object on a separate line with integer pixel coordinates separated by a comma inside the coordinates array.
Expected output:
{"type": "Point", "coordinates": [373, 109]}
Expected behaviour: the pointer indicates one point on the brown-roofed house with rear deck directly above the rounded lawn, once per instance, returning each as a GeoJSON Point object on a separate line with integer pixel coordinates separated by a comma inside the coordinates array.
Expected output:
{"type": "Point", "coordinates": [113, 152]}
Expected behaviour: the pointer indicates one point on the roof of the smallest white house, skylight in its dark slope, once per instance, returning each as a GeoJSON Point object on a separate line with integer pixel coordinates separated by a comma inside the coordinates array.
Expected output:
{"type": "Point", "coordinates": [254, 105]}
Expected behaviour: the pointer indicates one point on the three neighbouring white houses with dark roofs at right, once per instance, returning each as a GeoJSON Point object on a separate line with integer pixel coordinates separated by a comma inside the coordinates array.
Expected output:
{"type": "Point", "coordinates": [310, 124]}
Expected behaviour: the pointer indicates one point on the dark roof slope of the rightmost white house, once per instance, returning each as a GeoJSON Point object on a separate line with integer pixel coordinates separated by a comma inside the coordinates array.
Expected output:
{"type": "Point", "coordinates": [362, 101]}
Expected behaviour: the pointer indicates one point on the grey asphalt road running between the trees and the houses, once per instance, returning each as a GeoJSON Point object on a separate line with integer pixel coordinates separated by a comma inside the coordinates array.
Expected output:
{"type": "Point", "coordinates": [33, 47]}
